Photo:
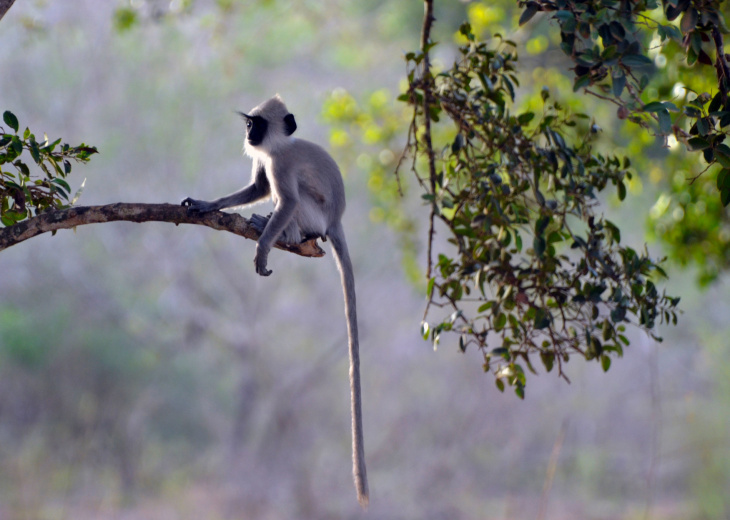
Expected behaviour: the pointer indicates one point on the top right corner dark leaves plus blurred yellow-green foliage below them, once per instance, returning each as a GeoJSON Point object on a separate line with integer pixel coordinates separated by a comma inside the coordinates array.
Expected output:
{"type": "Point", "coordinates": [616, 49]}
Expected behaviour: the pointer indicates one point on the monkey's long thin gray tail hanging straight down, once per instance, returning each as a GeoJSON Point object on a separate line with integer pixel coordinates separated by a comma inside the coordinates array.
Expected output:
{"type": "Point", "coordinates": [342, 255]}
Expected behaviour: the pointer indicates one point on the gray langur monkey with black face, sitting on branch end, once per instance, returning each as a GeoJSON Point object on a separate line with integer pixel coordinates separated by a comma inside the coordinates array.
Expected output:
{"type": "Point", "coordinates": [309, 198]}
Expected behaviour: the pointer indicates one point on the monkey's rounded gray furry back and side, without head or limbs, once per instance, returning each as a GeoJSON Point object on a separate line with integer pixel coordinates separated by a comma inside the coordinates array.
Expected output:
{"type": "Point", "coordinates": [320, 188]}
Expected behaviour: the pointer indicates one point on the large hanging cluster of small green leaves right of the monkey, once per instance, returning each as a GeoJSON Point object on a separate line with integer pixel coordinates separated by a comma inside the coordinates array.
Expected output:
{"type": "Point", "coordinates": [534, 272]}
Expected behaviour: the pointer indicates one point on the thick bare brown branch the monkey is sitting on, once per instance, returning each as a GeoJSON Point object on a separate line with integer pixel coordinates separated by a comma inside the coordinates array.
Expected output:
{"type": "Point", "coordinates": [173, 213]}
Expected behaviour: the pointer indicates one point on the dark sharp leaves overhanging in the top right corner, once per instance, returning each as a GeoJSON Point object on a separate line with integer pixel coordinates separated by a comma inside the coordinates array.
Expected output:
{"type": "Point", "coordinates": [609, 43]}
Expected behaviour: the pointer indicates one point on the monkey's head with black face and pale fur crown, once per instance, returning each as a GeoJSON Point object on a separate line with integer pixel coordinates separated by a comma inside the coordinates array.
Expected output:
{"type": "Point", "coordinates": [268, 124]}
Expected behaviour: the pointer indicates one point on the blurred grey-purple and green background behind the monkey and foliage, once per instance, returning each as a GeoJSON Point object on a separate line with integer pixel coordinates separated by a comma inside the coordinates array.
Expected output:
{"type": "Point", "coordinates": [147, 372]}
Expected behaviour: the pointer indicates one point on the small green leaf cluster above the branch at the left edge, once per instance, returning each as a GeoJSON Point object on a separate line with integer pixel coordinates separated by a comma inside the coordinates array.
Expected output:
{"type": "Point", "coordinates": [23, 194]}
